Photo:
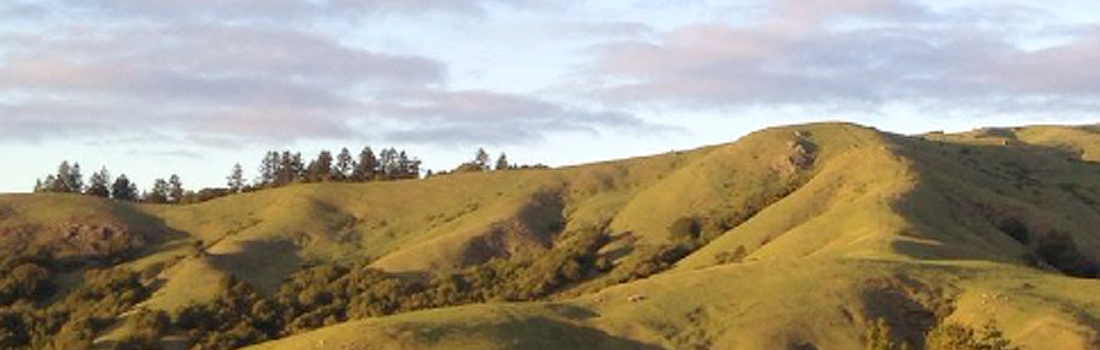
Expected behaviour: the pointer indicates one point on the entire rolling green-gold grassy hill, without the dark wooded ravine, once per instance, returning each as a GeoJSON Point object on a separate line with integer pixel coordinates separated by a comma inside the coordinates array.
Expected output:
{"type": "Point", "coordinates": [789, 238]}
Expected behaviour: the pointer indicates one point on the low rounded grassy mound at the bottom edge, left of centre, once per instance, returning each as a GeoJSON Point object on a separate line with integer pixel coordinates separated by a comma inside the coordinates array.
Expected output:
{"type": "Point", "coordinates": [499, 326]}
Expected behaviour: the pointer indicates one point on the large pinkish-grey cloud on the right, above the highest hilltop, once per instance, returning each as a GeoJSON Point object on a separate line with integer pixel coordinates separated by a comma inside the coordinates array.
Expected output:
{"type": "Point", "coordinates": [851, 54]}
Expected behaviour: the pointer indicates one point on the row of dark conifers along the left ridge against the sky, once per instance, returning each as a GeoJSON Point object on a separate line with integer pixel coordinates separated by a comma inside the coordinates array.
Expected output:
{"type": "Point", "coordinates": [277, 169]}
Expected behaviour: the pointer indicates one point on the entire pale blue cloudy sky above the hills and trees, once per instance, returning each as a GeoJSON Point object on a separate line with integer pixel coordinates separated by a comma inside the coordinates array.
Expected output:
{"type": "Point", "coordinates": [158, 87]}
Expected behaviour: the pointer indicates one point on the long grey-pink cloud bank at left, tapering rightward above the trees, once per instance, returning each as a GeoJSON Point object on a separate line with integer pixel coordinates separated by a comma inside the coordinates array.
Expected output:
{"type": "Point", "coordinates": [223, 84]}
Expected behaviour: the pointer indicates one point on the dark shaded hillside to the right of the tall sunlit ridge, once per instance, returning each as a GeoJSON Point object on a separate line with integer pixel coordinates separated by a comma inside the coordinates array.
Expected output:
{"type": "Point", "coordinates": [993, 203]}
